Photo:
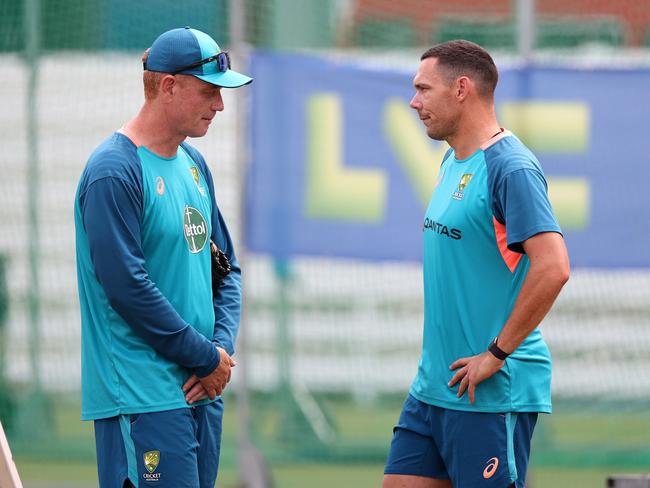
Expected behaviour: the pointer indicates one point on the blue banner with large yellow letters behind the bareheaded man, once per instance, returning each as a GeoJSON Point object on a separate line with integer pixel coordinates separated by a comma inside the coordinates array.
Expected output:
{"type": "Point", "coordinates": [341, 166]}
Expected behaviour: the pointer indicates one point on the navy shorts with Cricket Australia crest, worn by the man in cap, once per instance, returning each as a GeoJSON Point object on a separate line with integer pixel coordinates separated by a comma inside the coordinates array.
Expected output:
{"type": "Point", "coordinates": [175, 448]}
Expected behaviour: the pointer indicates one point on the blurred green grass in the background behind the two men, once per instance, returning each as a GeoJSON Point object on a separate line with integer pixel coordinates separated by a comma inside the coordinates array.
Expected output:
{"type": "Point", "coordinates": [573, 448]}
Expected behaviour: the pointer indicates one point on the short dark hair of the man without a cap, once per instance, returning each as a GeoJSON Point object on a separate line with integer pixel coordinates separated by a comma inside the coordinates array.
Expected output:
{"type": "Point", "coordinates": [464, 58]}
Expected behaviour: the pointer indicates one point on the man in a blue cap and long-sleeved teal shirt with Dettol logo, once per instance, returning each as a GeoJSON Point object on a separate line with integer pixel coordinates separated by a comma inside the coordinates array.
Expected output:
{"type": "Point", "coordinates": [156, 340]}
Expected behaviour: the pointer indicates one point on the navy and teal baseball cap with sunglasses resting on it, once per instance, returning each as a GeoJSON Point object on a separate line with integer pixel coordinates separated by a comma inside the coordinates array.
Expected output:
{"type": "Point", "coordinates": [177, 48]}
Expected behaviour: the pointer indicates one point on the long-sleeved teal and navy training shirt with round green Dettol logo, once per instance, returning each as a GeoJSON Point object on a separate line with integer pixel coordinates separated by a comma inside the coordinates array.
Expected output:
{"type": "Point", "coordinates": [149, 321]}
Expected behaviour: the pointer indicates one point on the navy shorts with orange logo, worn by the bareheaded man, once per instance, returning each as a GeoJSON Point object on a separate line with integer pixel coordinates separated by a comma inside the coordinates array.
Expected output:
{"type": "Point", "coordinates": [472, 449]}
